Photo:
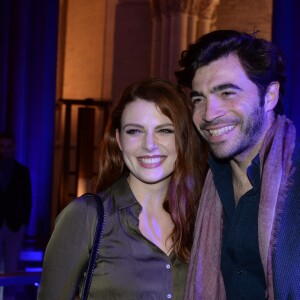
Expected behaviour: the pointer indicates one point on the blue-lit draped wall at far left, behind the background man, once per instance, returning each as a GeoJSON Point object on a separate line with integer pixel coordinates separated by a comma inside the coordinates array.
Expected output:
{"type": "Point", "coordinates": [28, 53]}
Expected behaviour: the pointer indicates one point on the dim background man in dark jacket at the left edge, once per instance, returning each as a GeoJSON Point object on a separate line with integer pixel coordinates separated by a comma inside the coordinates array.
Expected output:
{"type": "Point", "coordinates": [15, 205]}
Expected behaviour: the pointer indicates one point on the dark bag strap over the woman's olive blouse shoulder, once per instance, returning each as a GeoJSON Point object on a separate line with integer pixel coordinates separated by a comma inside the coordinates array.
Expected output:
{"type": "Point", "coordinates": [96, 245]}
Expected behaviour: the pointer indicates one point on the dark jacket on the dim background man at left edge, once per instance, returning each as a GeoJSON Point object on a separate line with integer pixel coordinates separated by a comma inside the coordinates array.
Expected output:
{"type": "Point", "coordinates": [15, 200]}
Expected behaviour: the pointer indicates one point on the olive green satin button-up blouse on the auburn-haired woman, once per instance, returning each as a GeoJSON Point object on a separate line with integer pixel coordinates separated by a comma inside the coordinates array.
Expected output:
{"type": "Point", "coordinates": [129, 266]}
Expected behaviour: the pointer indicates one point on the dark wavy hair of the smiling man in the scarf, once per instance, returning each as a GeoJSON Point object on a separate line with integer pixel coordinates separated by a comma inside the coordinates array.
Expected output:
{"type": "Point", "coordinates": [261, 60]}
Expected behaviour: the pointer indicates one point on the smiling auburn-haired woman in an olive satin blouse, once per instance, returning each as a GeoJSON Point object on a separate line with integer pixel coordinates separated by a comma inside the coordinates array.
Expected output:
{"type": "Point", "coordinates": [151, 171]}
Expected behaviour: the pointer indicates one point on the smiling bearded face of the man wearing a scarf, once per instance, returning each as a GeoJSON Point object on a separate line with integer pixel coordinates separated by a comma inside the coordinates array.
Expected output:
{"type": "Point", "coordinates": [227, 109]}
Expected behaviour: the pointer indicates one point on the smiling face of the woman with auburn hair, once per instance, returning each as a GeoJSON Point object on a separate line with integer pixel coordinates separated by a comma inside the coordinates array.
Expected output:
{"type": "Point", "coordinates": [147, 141]}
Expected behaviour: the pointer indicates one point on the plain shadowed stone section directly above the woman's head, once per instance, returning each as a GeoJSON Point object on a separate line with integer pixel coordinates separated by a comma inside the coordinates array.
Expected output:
{"type": "Point", "coordinates": [132, 44]}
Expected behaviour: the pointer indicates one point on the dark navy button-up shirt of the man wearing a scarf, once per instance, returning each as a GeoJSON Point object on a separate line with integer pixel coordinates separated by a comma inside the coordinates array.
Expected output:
{"type": "Point", "coordinates": [241, 264]}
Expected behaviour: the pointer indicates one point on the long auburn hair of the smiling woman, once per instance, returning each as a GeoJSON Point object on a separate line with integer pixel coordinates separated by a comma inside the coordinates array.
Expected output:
{"type": "Point", "coordinates": [191, 164]}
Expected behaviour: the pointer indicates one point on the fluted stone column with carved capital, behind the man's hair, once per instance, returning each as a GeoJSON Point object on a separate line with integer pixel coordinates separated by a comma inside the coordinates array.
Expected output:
{"type": "Point", "coordinates": [175, 24]}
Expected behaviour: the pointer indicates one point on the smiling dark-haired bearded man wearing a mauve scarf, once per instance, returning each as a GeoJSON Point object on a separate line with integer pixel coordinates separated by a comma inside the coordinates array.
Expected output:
{"type": "Point", "coordinates": [247, 235]}
